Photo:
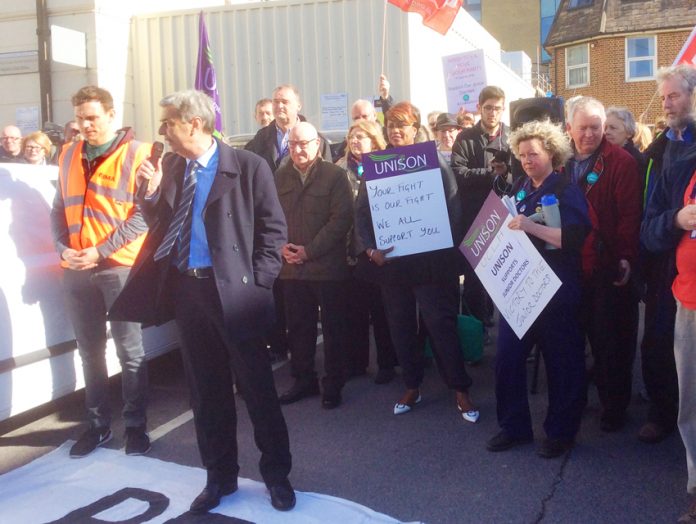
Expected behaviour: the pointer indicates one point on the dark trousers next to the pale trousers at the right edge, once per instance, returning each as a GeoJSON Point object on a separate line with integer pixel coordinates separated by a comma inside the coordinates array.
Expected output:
{"type": "Point", "coordinates": [657, 354]}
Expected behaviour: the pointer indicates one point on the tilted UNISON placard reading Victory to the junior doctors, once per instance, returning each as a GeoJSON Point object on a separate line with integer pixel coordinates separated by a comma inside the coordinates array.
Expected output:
{"type": "Point", "coordinates": [517, 278]}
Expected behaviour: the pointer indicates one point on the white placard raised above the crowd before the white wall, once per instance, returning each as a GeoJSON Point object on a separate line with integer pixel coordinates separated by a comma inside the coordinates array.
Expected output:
{"type": "Point", "coordinates": [465, 76]}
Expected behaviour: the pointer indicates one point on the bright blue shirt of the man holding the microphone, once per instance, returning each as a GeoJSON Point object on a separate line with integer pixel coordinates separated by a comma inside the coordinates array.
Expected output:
{"type": "Point", "coordinates": [199, 255]}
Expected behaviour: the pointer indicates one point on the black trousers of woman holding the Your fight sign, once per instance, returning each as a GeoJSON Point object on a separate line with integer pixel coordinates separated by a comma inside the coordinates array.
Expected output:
{"type": "Point", "coordinates": [438, 304]}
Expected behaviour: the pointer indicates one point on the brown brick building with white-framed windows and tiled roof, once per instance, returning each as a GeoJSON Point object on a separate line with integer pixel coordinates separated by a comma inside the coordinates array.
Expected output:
{"type": "Point", "coordinates": [612, 49]}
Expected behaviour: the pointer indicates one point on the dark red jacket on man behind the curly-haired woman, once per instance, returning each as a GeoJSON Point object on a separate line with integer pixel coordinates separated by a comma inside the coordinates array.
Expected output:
{"type": "Point", "coordinates": [615, 209]}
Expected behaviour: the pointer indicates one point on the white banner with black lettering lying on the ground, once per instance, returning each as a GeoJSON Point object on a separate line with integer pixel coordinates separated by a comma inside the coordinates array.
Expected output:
{"type": "Point", "coordinates": [112, 487]}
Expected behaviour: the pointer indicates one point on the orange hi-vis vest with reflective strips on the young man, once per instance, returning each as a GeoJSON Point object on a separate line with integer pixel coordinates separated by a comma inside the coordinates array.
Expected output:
{"type": "Point", "coordinates": [94, 209]}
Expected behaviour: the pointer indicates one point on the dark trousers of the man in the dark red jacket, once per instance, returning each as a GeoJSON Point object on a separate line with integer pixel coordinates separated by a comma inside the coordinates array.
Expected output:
{"type": "Point", "coordinates": [610, 320]}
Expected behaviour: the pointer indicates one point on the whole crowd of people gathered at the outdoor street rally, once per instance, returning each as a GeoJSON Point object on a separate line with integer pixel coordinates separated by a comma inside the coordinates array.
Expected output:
{"type": "Point", "coordinates": [248, 248]}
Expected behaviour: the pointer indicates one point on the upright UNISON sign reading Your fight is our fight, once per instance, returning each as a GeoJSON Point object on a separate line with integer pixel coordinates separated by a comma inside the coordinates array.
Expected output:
{"type": "Point", "coordinates": [407, 199]}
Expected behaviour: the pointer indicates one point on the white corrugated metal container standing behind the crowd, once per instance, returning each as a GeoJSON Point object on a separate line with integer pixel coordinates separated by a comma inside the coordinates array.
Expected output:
{"type": "Point", "coordinates": [321, 46]}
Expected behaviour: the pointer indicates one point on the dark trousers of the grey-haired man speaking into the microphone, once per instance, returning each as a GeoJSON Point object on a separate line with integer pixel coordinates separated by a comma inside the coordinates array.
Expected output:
{"type": "Point", "coordinates": [212, 363]}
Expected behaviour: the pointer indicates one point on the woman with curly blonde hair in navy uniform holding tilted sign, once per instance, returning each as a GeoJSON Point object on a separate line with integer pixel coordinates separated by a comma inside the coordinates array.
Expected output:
{"type": "Point", "coordinates": [542, 148]}
